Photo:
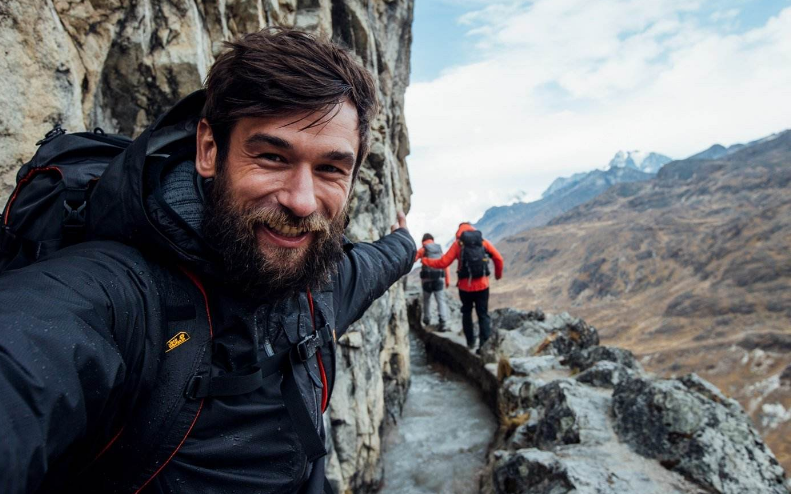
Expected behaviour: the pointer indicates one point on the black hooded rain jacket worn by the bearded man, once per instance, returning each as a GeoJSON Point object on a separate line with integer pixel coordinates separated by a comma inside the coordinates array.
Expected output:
{"type": "Point", "coordinates": [88, 360]}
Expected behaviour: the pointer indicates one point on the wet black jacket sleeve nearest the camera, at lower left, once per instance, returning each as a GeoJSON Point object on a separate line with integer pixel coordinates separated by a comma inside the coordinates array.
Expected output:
{"type": "Point", "coordinates": [61, 364]}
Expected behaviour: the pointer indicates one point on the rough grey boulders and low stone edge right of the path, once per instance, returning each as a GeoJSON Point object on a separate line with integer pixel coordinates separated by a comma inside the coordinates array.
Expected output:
{"type": "Point", "coordinates": [579, 417]}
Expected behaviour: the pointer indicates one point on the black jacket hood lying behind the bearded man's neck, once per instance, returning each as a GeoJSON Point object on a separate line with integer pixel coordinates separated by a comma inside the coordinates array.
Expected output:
{"type": "Point", "coordinates": [134, 203]}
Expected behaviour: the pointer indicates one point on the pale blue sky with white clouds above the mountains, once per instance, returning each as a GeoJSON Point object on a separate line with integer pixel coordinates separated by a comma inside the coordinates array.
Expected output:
{"type": "Point", "coordinates": [507, 96]}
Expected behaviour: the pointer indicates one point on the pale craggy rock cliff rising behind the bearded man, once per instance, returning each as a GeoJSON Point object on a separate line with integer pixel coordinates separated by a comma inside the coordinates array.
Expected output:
{"type": "Point", "coordinates": [118, 64]}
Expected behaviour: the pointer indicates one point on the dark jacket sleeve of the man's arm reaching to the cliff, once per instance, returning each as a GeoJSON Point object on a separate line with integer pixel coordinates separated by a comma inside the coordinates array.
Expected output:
{"type": "Point", "coordinates": [366, 273]}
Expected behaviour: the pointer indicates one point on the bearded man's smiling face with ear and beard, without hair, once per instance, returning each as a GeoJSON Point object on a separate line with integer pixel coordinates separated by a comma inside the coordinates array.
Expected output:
{"type": "Point", "coordinates": [280, 195]}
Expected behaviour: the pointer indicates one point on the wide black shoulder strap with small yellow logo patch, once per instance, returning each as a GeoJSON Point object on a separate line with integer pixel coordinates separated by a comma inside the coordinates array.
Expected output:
{"type": "Point", "coordinates": [163, 416]}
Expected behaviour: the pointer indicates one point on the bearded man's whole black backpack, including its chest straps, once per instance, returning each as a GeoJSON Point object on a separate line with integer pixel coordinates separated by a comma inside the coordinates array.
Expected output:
{"type": "Point", "coordinates": [47, 212]}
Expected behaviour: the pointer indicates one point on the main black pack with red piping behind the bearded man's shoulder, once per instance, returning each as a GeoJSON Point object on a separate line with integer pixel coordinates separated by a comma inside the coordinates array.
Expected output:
{"type": "Point", "coordinates": [46, 211]}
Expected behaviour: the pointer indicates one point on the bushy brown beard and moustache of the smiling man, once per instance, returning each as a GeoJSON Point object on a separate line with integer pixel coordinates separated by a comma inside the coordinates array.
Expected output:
{"type": "Point", "coordinates": [278, 272]}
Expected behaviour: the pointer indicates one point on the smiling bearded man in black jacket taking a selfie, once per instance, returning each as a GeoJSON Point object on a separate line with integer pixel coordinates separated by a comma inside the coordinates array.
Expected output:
{"type": "Point", "coordinates": [188, 345]}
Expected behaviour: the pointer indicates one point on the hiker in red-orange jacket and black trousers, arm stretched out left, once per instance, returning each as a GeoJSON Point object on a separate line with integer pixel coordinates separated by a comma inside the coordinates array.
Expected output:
{"type": "Point", "coordinates": [473, 253]}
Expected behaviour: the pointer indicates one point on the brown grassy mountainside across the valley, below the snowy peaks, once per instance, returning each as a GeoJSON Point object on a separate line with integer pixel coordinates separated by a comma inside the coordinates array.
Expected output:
{"type": "Point", "coordinates": [691, 270]}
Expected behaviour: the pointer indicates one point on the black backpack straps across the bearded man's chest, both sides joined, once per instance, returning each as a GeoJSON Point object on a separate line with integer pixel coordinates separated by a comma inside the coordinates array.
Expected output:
{"type": "Point", "coordinates": [160, 424]}
